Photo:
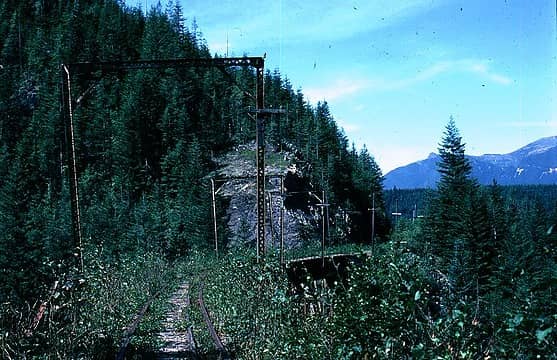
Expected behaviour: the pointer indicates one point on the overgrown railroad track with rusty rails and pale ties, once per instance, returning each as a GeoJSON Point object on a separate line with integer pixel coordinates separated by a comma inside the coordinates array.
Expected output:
{"type": "Point", "coordinates": [178, 333]}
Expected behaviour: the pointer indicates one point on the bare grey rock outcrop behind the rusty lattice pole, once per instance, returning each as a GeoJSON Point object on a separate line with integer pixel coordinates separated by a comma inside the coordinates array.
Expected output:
{"type": "Point", "coordinates": [236, 190]}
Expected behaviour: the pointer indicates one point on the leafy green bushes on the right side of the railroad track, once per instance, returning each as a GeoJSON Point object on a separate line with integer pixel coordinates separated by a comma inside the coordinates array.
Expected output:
{"type": "Point", "coordinates": [395, 306]}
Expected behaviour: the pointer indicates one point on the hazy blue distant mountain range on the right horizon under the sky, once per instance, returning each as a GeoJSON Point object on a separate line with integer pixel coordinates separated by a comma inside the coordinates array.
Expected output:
{"type": "Point", "coordinates": [535, 163]}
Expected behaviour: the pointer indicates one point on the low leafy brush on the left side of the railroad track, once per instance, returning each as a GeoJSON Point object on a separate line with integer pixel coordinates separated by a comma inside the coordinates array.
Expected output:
{"type": "Point", "coordinates": [86, 316]}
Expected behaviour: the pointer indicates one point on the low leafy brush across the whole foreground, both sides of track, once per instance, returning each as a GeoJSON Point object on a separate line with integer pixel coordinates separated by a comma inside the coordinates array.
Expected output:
{"type": "Point", "coordinates": [394, 305]}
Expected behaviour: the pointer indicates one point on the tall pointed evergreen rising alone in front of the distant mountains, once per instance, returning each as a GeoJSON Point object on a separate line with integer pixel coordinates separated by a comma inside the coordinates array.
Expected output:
{"type": "Point", "coordinates": [457, 231]}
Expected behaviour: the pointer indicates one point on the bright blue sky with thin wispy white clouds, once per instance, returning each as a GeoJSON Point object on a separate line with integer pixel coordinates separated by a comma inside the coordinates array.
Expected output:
{"type": "Point", "coordinates": [393, 71]}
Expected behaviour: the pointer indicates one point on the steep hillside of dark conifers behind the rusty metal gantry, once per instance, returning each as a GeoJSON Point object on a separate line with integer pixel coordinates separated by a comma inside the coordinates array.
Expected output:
{"type": "Point", "coordinates": [145, 141]}
